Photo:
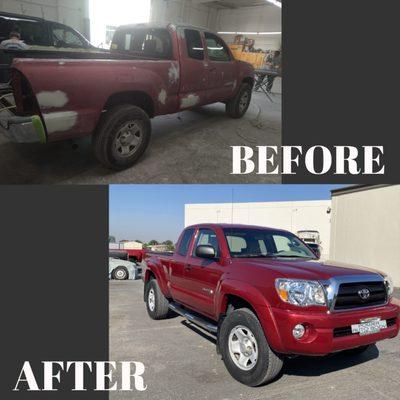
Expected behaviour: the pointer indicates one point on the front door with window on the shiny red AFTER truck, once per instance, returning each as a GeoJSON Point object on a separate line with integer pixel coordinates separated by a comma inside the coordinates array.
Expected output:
{"type": "Point", "coordinates": [201, 275]}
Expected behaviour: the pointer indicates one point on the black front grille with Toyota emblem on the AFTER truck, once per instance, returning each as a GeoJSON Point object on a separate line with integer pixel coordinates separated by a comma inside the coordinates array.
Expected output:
{"type": "Point", "coordinates": [348, 295]}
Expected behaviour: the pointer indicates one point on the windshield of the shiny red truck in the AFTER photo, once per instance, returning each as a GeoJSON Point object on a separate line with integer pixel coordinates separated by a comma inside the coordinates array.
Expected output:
{"type": "Point", "coordinates": [260, 243]}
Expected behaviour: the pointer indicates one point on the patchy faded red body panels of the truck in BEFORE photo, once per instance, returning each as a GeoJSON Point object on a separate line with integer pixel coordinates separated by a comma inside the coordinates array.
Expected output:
{"type": "Point", "coordinates": [72, 94]}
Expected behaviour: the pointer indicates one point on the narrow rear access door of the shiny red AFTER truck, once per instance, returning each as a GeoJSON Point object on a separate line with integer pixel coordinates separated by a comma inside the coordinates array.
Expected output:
{"type": "Point", "coordinates": [177, 267]}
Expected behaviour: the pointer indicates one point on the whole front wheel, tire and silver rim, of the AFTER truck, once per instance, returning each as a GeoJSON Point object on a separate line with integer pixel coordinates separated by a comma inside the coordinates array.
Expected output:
{"type": "Point", "coordinates": [245, 350]}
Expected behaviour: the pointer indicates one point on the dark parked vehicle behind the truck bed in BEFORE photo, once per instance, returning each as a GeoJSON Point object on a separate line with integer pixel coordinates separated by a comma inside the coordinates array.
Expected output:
{"type": "Point", "coordinates": [45, 39]}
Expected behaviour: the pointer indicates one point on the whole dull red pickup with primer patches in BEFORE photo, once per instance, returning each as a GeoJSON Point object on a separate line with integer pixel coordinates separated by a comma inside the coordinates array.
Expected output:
{"type": "Point", "coordinates": [149, 71]}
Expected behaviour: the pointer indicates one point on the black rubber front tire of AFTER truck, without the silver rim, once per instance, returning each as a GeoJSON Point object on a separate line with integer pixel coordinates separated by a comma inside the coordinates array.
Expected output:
{"type": "Point", "coordinates": [268, 364]}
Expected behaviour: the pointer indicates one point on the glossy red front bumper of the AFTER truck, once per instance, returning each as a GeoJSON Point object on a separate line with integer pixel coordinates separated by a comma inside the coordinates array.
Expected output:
{"type": "Point", "coordinates": [320, 338]}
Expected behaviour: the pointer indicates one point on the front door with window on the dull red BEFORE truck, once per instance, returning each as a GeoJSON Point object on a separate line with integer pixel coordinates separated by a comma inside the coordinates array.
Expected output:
{"type": "Point", "coordinates": [222, 69]}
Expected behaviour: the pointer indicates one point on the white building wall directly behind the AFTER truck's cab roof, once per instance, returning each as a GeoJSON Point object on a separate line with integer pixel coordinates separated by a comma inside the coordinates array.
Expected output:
{"type": "Point", "coordinates": [291, 216]}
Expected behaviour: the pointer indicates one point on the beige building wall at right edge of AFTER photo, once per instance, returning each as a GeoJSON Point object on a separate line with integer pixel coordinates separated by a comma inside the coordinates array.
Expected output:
{"type": "Point", "coordinates": [366, 229]}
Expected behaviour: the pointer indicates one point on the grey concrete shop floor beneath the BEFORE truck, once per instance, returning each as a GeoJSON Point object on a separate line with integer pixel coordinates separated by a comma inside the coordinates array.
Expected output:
{"type": "Point", "coordinates": [191, 147]}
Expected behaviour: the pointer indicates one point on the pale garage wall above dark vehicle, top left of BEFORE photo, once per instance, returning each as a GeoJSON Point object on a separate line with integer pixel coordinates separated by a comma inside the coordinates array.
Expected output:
{"type": "Point", "coordinates": [74, 13]}
